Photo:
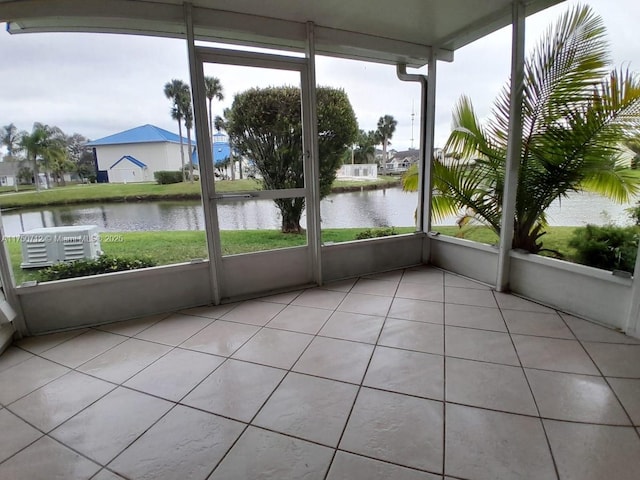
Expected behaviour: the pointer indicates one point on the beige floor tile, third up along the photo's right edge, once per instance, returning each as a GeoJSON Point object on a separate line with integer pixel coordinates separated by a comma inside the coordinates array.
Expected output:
{"type": "Point", "coordinates": [616, 360]}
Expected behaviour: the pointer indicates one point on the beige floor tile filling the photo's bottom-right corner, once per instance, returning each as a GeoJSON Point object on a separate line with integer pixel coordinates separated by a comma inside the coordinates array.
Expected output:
{"type": "Point", "coordinates": [594, 452]}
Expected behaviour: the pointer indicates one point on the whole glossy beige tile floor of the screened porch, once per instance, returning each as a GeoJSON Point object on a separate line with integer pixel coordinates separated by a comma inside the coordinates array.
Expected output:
{"type": "Point", "coordinates": [415, 374]}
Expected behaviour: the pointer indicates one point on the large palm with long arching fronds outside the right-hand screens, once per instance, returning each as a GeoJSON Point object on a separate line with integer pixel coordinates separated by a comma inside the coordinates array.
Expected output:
{"type": "Point", "coordinates": [576, 113]}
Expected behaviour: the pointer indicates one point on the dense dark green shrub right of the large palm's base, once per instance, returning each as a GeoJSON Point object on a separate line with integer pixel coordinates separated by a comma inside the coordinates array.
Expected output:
{"type": "Point", "coordinates": [608, 247]}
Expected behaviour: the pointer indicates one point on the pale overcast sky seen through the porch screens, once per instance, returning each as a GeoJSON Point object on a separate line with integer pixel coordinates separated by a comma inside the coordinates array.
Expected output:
{"type": "Point", "coordinates": [98, 85]}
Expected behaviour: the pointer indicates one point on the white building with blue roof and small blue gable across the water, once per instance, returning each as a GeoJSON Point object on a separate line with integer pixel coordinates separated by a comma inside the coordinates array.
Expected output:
{"type": "Point", "coordinates": [136, 154]}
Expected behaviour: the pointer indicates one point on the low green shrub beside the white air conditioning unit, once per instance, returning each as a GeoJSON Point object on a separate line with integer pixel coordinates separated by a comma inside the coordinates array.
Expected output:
{"type": "Point", "coordinates": [86, 267]}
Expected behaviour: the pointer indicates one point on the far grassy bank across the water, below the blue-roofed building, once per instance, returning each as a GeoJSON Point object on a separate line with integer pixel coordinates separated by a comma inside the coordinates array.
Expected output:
{"type": "Point", "coordinates": [137, 192]}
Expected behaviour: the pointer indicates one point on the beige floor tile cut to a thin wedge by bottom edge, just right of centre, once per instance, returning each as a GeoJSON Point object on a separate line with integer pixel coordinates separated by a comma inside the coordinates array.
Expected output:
{"type": "Point", "coordinates": [347, 466]}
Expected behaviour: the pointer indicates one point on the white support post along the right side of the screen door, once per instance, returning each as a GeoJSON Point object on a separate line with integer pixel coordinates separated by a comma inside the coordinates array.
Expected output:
{"type": "Point", "coordinates": [312, 158]}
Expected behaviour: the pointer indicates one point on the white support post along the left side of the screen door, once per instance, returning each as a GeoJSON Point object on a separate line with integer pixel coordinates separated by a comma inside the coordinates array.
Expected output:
{"type": "Point", "coordinates": [205, 155]}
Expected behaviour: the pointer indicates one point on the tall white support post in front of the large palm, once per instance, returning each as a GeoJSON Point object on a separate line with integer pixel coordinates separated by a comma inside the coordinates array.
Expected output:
{"type": "Point", "coordinates": [514, 145]}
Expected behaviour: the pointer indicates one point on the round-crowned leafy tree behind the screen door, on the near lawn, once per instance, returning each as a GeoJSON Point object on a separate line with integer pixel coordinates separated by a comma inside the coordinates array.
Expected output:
{"type": "Point", "coordinates": [265, 125]}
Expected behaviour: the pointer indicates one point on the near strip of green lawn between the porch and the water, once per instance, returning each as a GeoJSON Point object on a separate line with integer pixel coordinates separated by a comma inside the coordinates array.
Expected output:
{"type": "Point", "coordinates": [169, 247]}
